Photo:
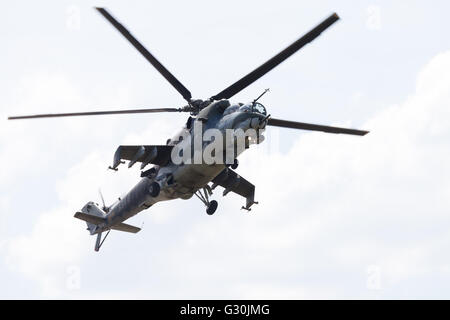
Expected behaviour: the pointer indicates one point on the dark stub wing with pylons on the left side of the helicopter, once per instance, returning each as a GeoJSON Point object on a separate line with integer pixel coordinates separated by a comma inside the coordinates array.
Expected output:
{"type": "Point", "coordinates": [159, 155]}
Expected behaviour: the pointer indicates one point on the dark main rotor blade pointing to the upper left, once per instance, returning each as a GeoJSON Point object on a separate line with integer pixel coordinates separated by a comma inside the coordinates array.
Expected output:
{"type": "Point", "coordinates": [150, 58]}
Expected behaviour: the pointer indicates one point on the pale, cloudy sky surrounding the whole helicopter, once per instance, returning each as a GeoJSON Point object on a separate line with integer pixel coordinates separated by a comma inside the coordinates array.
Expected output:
{"type": "Point", "coordinates": [339, 217]}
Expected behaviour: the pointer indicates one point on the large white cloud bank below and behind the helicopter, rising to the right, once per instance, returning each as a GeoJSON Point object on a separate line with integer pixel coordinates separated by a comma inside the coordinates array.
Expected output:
{"type": "Point", "coordinates": [330, 207]}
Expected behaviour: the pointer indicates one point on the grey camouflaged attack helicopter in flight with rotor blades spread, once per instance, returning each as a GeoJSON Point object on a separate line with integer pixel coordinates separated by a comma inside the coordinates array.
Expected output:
{"type": "Point", "coordinates": [168, 180]}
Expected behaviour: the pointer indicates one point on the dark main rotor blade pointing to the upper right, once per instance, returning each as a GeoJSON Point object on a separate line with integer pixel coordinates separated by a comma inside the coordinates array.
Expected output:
{"type": "Point", "coordinates": [276, 60]}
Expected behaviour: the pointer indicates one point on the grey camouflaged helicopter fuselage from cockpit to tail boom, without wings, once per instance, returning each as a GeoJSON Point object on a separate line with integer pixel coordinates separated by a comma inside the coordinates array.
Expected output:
{"type": "Point", "coordinates": [183, 180]}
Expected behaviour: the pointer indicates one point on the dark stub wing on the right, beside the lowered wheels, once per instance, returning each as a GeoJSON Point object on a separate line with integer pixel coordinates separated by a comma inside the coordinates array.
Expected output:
{"type": "Point", "coordinates": [231, 181]}
